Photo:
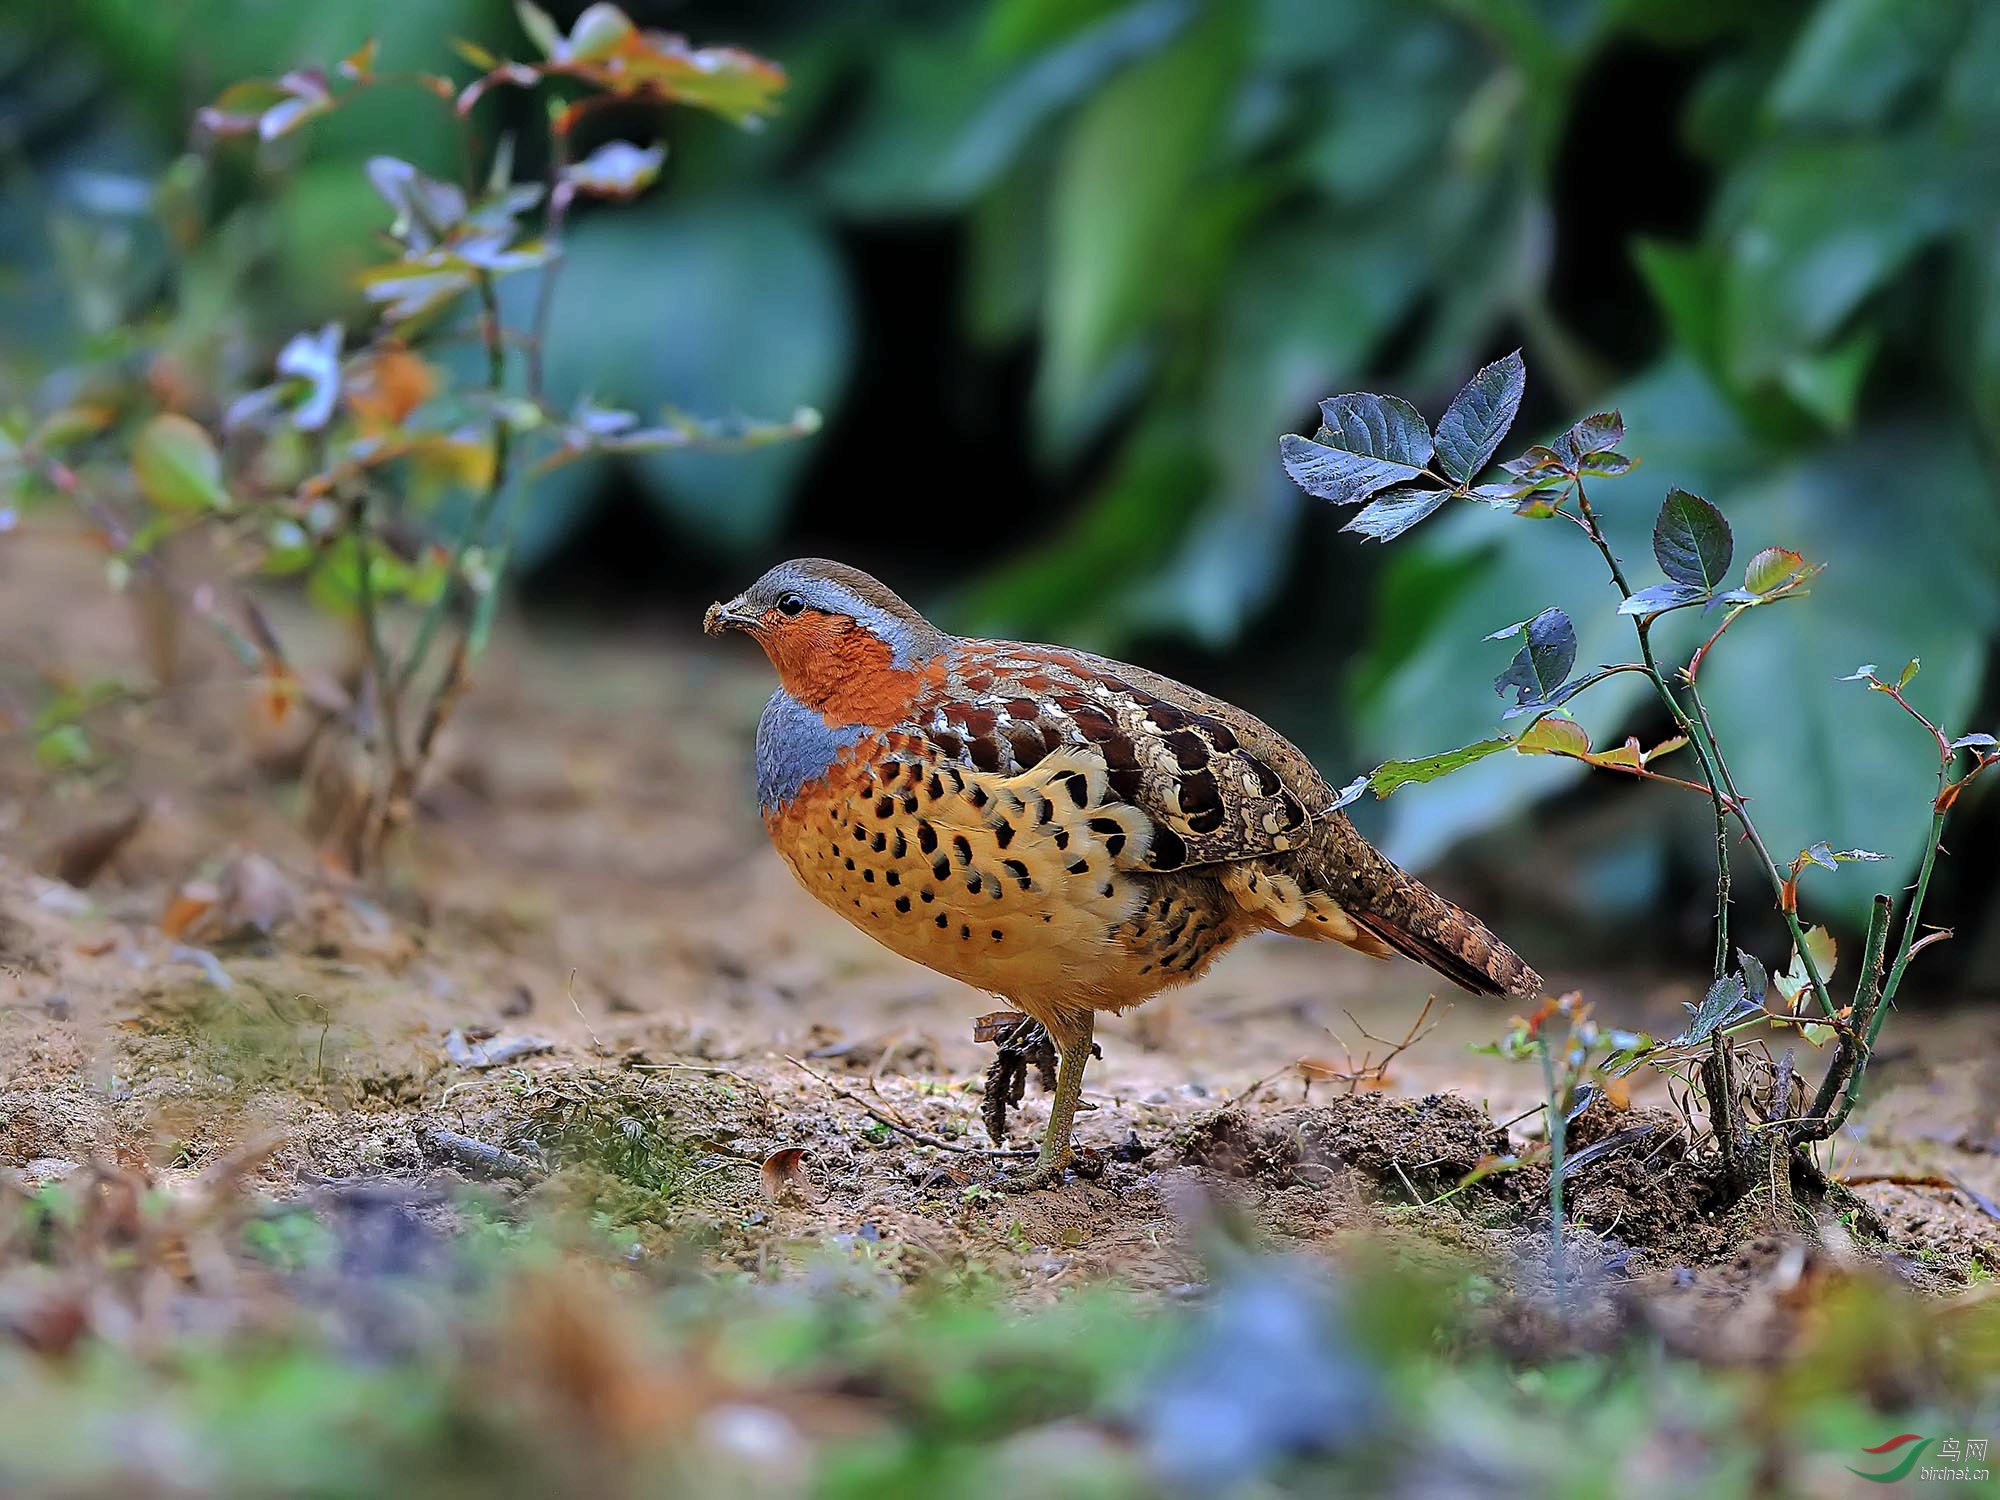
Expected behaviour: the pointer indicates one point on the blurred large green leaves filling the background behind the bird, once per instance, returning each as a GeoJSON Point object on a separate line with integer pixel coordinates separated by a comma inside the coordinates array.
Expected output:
{"type": "Point", "coordinates": [1197, 219]}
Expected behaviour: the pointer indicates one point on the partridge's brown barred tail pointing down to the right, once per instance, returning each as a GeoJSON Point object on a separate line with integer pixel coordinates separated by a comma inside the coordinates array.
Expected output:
{"type": "Point", "coordinates": [1415, 921]}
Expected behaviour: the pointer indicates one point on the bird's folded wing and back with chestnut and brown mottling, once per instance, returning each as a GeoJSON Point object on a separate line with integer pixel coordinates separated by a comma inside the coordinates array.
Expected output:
{"type": "Point", "coordinates": [1207, 775]}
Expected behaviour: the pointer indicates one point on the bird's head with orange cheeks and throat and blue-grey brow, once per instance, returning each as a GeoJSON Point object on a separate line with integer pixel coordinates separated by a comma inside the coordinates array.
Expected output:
{"type": "Point", "coordinates": [841, 641]}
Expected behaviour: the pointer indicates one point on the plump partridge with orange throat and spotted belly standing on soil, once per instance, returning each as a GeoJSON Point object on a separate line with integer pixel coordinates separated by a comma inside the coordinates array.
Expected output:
{"type": "Point", "coordinates": [1063, 831]}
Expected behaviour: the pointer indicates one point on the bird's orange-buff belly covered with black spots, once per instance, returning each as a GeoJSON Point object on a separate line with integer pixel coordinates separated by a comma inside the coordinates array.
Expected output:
{"type": "Point", "coordinates": [1027, 885]}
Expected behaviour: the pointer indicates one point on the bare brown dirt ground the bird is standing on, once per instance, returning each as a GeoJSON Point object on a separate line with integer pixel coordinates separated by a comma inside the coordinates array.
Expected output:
{"type": "Point", "coordinates": [585, 977]}
